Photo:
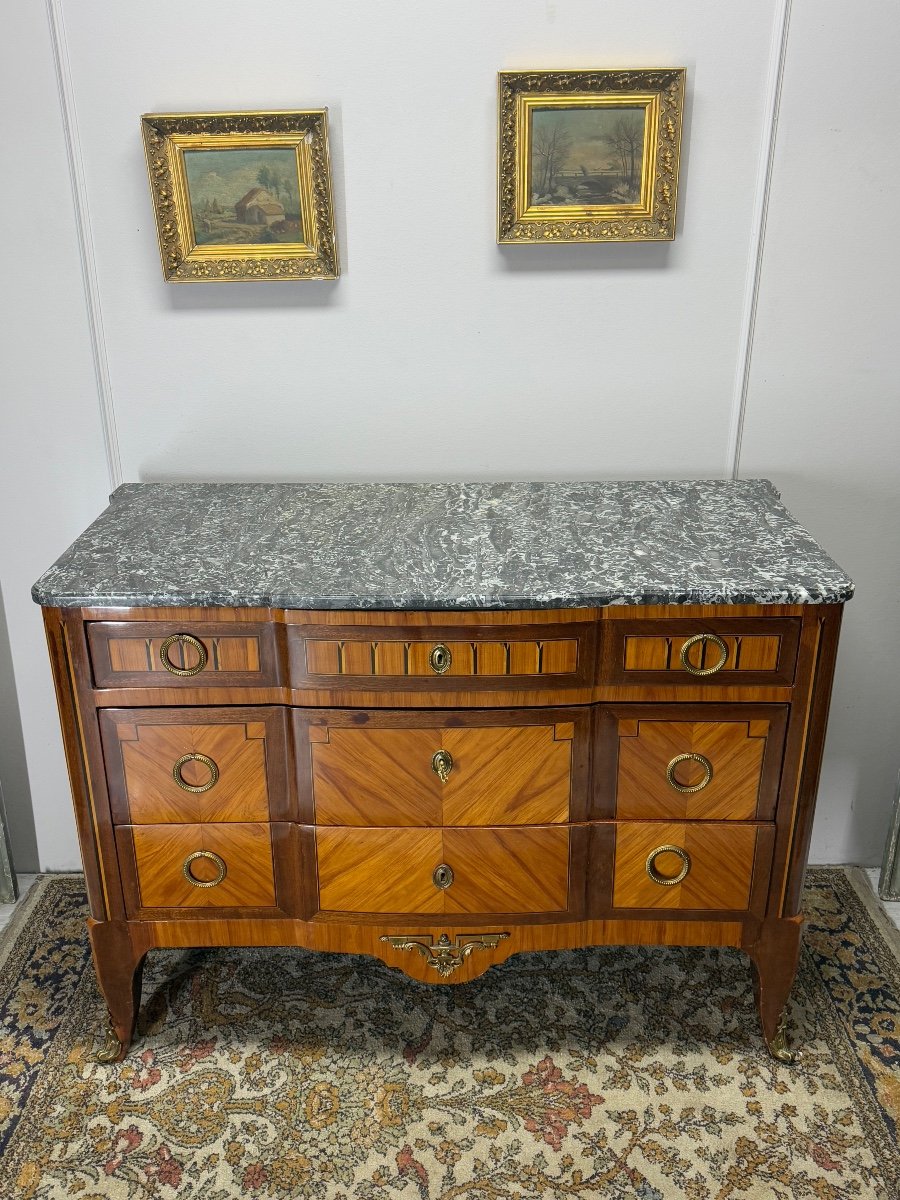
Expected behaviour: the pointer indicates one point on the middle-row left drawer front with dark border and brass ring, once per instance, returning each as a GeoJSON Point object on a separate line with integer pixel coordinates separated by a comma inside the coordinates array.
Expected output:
{"type": "Point", "coordinates": [247, 753]}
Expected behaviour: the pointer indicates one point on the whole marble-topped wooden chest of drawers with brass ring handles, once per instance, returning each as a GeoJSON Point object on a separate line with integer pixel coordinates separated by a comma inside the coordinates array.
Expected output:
{"type": "Point", "coordinates": [458, 776]}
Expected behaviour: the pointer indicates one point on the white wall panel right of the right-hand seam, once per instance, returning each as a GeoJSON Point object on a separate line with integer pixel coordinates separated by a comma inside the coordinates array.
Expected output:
{"type": "Point", "coordinates": [824, 418]}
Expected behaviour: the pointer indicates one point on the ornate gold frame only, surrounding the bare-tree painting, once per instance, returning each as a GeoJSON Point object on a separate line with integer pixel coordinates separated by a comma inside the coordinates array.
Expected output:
{"type": "Point", "coordinates": [661, 93]}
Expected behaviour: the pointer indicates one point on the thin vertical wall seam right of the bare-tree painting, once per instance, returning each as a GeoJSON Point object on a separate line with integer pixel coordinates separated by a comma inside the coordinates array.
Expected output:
{"type": "Point", "coordinates": [782, 25]}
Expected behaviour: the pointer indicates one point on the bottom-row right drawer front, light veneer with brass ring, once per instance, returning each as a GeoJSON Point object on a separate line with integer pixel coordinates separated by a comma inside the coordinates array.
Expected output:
{"type": "Point", "coordinates": [719, 877]}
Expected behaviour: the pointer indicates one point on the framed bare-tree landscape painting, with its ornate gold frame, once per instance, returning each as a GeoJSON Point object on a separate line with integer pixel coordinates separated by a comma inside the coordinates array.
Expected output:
{"type": "Point", "coordinates": [589, 155]}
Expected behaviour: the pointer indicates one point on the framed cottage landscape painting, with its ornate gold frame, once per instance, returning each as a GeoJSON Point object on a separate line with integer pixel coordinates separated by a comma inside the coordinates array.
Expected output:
{"type": "Point", "coordinates": [242, 196]}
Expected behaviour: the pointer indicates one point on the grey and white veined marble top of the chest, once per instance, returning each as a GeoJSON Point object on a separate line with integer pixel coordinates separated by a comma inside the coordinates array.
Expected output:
{"type": "Point", "coordinates": [445, 547]}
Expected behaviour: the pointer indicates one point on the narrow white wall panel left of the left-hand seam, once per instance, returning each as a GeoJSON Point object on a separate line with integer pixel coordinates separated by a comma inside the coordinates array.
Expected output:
{"type": "Point", "coordinates": [53, 475]}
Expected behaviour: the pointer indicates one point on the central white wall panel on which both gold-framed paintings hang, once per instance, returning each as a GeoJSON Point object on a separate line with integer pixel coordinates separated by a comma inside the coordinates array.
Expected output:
{"type": "Point", "coordinates": [523, 362]}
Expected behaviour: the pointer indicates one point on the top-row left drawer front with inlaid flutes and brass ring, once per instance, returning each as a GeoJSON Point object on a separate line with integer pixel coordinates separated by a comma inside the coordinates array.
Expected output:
{"type": "Point", "coordinates": [130, 655]}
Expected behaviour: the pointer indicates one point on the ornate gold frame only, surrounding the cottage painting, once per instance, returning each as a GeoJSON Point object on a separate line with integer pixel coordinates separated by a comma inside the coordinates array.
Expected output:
{"type": "Point", "coordinates": [169, 135]}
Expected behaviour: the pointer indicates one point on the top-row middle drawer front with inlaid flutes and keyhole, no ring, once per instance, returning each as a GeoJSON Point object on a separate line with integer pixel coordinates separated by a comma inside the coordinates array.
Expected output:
{"type": "Point", "coordinates": [519, 657]}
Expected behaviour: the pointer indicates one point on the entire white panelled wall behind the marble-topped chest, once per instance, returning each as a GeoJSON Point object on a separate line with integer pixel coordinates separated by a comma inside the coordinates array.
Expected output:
{"type": "Point", "coordinates": [437, 353]}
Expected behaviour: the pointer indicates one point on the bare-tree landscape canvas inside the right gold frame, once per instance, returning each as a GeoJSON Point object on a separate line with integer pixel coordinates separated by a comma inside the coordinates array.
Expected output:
{"type": "Point", "coordinates": [585, 157]}
